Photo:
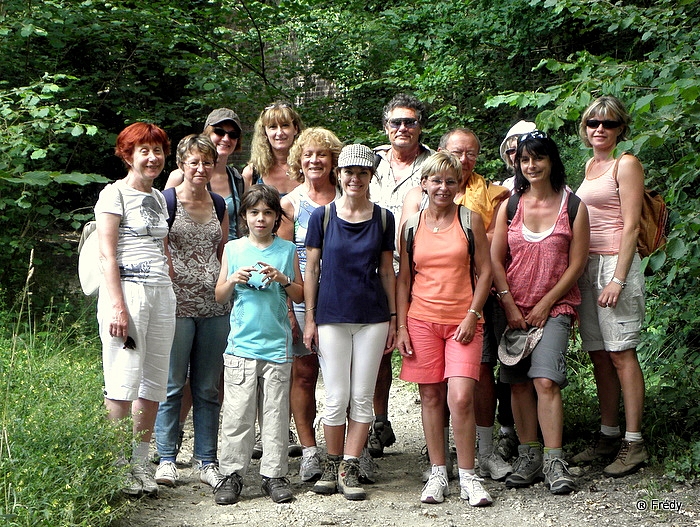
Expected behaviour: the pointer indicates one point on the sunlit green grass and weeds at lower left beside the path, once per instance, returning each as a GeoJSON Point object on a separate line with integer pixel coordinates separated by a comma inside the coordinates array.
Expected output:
{"type": "Point", "coordinates": [56, 453]}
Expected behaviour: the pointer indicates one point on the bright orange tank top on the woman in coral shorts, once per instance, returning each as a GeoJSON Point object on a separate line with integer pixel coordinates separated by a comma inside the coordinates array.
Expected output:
{"type": "Point", "coordinates": [442, 290]}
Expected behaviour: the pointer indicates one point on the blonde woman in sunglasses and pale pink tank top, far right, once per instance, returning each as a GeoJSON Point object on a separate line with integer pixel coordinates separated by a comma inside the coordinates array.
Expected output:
{"type": "Point", "coordinates": [612, 287]}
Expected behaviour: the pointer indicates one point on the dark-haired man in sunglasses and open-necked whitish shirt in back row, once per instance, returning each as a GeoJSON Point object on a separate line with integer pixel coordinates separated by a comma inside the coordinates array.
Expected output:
{"type": "Point", "coordinates": [398, 167]}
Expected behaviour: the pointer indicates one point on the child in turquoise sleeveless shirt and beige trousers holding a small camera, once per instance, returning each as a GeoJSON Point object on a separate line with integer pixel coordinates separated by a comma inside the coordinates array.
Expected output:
{"type": "Point", "coordinates": [259, 270]}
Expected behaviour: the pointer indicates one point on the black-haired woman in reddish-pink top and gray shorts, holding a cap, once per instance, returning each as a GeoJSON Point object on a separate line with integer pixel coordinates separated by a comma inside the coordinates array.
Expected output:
{"type": "Point", "coordinates": [537, 256]}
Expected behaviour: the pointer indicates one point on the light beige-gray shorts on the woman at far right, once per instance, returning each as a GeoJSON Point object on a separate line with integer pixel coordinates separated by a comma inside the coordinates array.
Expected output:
{"type": "Point", "coordinates": [607, 328]}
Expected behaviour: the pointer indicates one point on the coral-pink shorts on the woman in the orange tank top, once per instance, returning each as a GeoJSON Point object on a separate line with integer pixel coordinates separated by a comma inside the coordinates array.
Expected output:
{"type": "Point", "coordinates": [437, 357]}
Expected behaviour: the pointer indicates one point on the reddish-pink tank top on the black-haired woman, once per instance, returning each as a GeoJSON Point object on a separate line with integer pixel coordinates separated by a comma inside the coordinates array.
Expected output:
{"type": "Point", "coordinates": [533, 268]}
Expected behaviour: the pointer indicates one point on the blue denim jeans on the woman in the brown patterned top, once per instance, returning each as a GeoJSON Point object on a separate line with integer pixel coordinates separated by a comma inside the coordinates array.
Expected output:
{"type": "Point", "coordinates": [199, 344]}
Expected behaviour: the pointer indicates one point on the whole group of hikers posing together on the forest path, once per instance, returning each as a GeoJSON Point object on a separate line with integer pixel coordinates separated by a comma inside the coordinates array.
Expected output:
{"type": "Point", "coordinates": [247, 285]}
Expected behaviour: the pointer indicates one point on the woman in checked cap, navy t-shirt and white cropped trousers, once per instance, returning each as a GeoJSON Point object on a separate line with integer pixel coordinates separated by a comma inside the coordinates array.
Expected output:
{"type": "Point", "coordinates": [350, 314]}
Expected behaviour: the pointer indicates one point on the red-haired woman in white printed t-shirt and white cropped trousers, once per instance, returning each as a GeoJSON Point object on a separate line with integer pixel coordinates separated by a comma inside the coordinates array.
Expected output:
{"type": "Point", "coordinates": [136, 304]}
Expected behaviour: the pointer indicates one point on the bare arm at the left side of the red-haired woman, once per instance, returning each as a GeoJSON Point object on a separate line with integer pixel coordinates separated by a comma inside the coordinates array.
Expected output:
{"type": "Point", "coordinates": [108, 236]}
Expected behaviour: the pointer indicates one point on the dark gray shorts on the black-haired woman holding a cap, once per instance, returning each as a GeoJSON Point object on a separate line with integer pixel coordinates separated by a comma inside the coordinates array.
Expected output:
{"type": "Point", "coordinates": [548, 359]}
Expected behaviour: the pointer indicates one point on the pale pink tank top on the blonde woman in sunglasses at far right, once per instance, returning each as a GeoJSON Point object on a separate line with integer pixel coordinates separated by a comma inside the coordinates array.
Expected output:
{"type": "Point", "coordinates": [603, 201]}
